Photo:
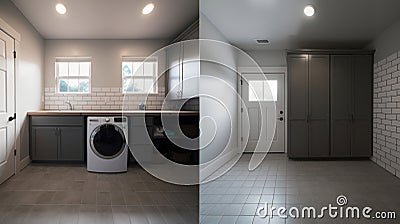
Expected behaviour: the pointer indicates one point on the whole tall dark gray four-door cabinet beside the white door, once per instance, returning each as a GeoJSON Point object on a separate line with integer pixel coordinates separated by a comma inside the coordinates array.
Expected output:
{"type": "Point", "coordinates": [329, 104]}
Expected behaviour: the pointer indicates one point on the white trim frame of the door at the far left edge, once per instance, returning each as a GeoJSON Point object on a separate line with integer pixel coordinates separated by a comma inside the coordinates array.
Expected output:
{"type": "Point", "coordinates": [7, 29]}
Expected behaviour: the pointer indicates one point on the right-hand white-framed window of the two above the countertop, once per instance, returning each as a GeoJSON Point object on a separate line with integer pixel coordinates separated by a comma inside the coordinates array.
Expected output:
{"type": "Point", "coordinates": [139, 75]}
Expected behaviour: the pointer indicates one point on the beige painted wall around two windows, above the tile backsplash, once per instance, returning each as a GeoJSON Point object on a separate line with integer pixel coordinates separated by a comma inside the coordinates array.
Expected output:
{"type": "Point", "coordinates": [106, 57]}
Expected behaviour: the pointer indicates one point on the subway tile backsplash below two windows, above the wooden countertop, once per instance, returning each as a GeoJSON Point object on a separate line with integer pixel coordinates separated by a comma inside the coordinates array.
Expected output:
{"type": "Point", "coordinates": [102, 99]}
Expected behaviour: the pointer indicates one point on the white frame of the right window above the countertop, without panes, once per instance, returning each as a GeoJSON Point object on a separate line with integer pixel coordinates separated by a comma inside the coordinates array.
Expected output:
{"type": "Point", "coordinates": [154, 77]}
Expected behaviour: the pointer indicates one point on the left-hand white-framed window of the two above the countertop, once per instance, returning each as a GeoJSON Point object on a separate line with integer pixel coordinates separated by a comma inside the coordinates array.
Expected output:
{"type": "Point", "coordinates": [73, 75]}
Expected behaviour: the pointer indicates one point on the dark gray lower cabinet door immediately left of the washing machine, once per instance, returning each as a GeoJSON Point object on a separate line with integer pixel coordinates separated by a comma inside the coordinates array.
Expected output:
{"type": "Point", "coordinates": [71, 144]}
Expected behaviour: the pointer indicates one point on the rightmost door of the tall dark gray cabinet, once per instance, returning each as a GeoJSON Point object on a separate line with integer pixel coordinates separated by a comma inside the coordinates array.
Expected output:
{"type": "Point", "coordinates": [362, 122]}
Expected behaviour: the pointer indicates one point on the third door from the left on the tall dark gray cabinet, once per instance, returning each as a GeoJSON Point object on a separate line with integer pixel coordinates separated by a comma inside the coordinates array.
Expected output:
{"type": "Point", "coordinates": [341, 107]}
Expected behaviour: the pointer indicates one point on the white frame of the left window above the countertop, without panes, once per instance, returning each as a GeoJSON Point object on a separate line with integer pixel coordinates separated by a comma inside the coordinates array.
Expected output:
{"type": "Point", "coordinates": [72, 60]}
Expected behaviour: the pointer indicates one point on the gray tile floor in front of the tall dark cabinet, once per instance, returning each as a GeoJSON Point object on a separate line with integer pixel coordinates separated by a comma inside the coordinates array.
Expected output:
{"type": "Point", "coordinates": [280, 182]}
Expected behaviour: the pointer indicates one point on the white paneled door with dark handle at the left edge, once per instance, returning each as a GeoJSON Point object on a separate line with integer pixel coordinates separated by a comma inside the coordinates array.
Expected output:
{"type": "Point", "coordinates": [7, 123]}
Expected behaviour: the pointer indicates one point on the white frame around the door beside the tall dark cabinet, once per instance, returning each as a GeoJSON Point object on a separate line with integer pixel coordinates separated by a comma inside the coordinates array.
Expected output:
{"type": "Point", "coordinates": [264, 70]}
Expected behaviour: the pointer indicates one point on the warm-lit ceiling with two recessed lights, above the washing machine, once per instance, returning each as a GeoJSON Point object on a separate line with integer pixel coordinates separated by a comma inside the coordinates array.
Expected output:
{"type": "Point", "coordinates": [109, 19]}
